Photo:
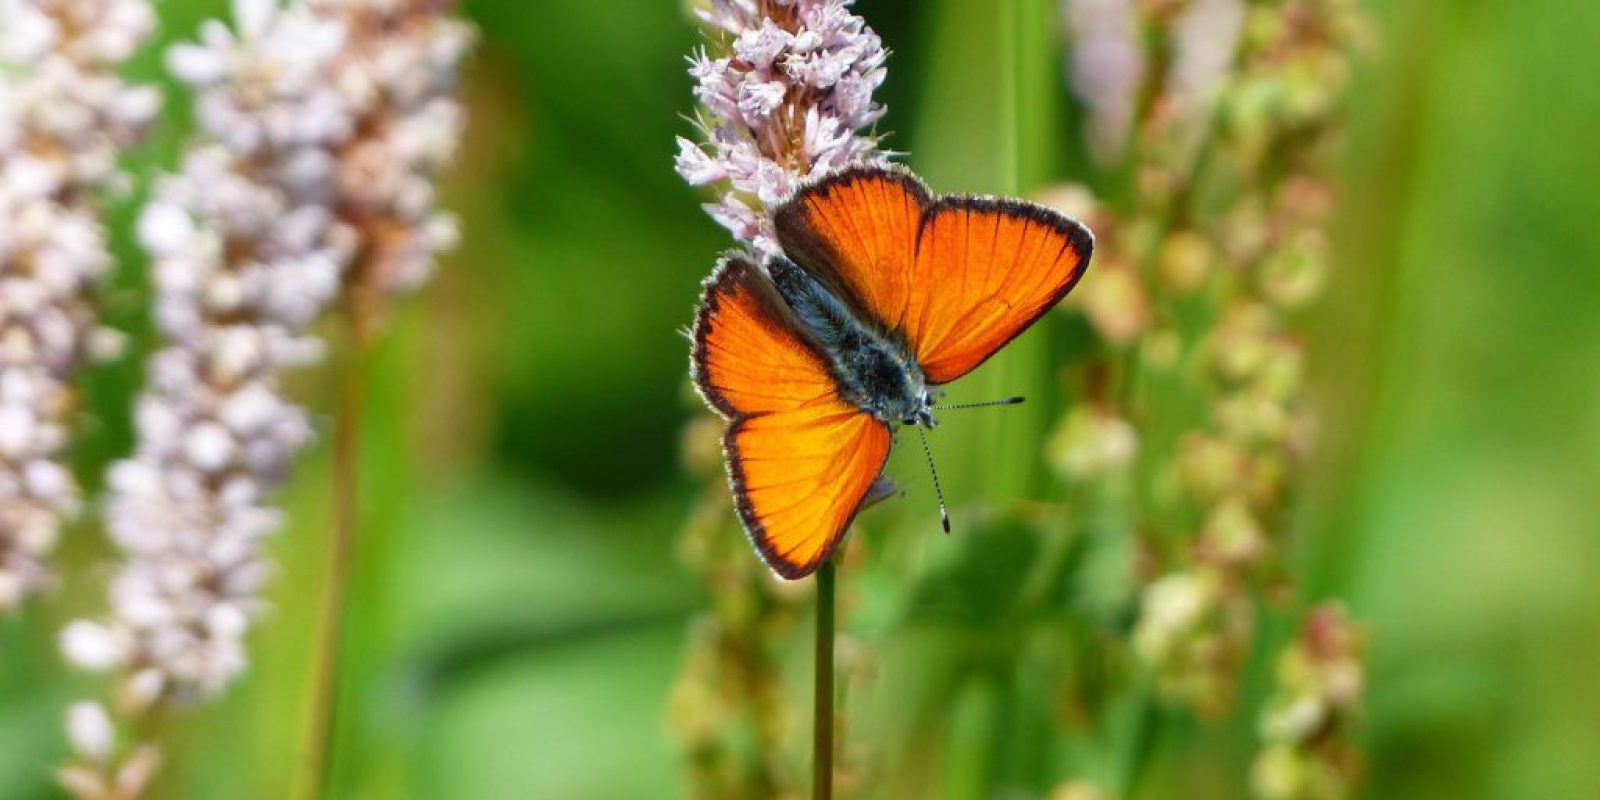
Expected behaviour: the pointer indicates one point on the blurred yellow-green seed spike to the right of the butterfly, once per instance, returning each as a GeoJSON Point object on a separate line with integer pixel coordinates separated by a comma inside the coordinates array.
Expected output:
{"type": "Point", "coordinates": [1231, 201]}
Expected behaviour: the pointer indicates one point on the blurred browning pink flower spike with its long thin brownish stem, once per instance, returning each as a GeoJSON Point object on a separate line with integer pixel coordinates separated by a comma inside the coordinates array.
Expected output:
{"type": "Point", "coordinates": [390, 169]}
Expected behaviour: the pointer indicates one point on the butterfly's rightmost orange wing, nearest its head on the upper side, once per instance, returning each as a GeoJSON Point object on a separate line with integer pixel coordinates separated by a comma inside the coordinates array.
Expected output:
{"type": "Point", "coordinates": [986, 271]}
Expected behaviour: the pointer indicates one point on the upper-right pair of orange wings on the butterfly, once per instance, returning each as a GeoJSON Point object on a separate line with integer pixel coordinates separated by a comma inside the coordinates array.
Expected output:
{"type": "Point", "coordinates": [958, 278]}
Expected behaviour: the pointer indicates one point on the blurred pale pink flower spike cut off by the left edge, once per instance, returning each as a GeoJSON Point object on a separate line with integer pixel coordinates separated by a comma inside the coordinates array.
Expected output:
{"type": "Point", "coordinates": [65, 118]}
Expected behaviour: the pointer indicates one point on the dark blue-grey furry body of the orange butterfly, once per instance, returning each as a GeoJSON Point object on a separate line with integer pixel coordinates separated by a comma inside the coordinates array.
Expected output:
{"type": "Point", "coordinates": [874, 369]}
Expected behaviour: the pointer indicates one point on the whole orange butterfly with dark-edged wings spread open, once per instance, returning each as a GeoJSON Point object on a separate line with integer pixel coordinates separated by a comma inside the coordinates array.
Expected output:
{"type": "Point", "coordinates": [890, 292]}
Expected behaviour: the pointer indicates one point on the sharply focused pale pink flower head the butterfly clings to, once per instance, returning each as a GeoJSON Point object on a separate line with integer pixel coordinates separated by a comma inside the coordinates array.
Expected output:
{"type": "Point", "coordinates": [790, 100]}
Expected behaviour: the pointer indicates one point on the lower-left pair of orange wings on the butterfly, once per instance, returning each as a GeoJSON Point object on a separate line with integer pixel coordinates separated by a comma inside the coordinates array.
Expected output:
{"type": "Point", "coordinates": [801, 460]}
